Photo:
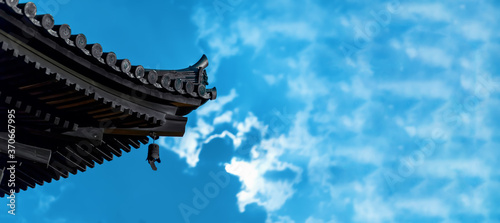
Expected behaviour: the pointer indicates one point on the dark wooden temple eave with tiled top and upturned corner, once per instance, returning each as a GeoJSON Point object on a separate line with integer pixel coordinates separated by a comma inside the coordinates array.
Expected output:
{"type": "Point", "coordinates": [75, 105]}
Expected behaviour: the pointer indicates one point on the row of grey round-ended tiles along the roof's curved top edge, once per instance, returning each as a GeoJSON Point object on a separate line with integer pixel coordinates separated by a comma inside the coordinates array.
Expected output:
{"type": "Point", "coordinates": [189, 82]}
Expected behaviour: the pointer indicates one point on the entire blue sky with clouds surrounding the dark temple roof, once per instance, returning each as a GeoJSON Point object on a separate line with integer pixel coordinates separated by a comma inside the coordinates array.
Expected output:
{"type": "Point", "coordinates": [327, 112]}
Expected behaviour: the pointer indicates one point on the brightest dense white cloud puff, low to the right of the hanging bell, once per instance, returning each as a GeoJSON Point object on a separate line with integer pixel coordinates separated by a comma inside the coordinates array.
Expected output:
{"type": "Point", "coordinates": [255, 188]}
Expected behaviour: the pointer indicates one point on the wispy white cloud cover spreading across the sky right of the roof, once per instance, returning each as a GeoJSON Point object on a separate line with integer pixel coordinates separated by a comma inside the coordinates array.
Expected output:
{"type": "Point", "coordinates": [354, 118]}
